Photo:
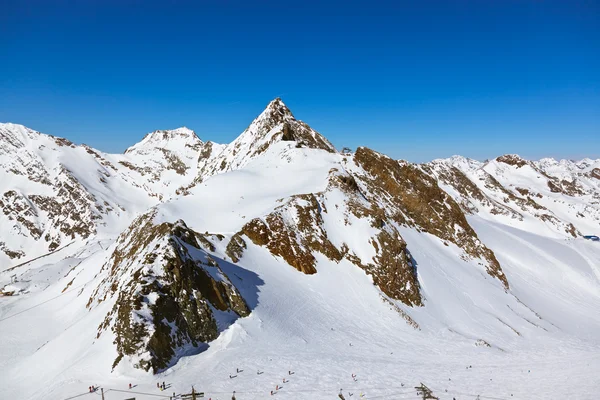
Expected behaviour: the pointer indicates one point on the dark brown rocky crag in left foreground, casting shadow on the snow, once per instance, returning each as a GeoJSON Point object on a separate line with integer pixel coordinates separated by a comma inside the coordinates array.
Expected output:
{"type": "Point", "coordinates": [169, 293]}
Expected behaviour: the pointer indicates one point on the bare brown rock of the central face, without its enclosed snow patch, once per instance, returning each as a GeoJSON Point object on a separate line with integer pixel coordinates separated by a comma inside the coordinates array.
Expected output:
{"type": "Point", "coordinates": [297, 238]}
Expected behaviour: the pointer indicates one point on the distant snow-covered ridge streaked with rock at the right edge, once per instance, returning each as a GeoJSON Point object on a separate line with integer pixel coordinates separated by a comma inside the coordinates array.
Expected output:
{"type": "Point", "coordinates": [549, 196]}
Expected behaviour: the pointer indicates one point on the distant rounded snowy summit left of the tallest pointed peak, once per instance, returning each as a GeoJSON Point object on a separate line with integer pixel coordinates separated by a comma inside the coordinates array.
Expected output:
{"type": "Point", "coordinates": [174, 139]}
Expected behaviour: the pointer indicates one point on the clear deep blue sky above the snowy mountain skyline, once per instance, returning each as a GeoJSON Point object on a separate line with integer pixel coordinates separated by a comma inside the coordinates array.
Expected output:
{"type": "Point", "coordinates": [414, 79]}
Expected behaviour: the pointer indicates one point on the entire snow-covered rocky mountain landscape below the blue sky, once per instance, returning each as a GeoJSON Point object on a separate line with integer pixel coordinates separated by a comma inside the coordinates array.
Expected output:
{"type": "Point", "coordinates": [277, 254]}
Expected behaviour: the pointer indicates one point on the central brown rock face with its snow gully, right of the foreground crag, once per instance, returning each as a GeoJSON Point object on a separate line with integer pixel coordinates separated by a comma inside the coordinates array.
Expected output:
{"type": "Point", "coordinates": [297, 230]}
